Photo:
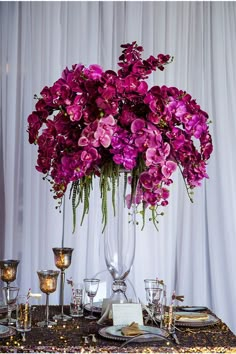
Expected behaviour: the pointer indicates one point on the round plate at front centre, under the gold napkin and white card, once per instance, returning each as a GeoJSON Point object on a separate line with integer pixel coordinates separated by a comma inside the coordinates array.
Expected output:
{"type": "Point", "coordinates": [114, 332]}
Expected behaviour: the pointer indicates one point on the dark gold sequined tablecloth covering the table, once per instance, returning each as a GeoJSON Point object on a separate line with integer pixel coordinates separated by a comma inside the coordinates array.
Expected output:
{"type": "Point", "coordinates": [68, 337]}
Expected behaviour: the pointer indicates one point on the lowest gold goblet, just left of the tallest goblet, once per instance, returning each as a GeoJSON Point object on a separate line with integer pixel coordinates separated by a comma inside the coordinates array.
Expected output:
{"type": "Point", "coordinates": [48, 284]}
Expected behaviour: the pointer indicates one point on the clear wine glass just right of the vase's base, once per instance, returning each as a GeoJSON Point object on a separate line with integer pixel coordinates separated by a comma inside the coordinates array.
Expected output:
{"type": "Point", "coordinates": [153, 296]}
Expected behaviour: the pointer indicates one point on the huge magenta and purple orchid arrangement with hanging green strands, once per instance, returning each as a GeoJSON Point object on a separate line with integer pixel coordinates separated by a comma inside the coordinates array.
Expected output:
{"type": "Point", "coordinates": [93, 123]}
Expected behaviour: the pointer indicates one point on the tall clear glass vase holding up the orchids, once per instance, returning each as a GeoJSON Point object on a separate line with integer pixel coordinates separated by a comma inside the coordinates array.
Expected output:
{"type": "Point", "coordinates": [120, 239]}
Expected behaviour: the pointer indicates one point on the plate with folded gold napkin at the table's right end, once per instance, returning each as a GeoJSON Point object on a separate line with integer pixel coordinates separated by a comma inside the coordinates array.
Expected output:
{"type": "Point", "coordinates": [194, 320]}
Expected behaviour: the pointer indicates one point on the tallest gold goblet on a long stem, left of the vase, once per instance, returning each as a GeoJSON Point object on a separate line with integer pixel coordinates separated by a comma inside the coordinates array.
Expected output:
{"type": "Point", "coordinates": [62, 258]}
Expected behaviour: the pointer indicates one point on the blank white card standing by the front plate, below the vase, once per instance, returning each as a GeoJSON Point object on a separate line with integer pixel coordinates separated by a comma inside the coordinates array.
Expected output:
{"type": "Point", "coordinates": [125, 314]}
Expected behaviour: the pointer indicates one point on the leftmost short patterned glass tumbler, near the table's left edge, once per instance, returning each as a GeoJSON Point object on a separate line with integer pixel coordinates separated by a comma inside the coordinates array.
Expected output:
{"type": "Point", "coordinates": [23, 314]}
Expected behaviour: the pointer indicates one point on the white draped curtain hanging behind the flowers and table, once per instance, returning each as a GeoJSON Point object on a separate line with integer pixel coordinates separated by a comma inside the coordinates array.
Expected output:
{"type": "Point", "coordinates": [194, 250]}
